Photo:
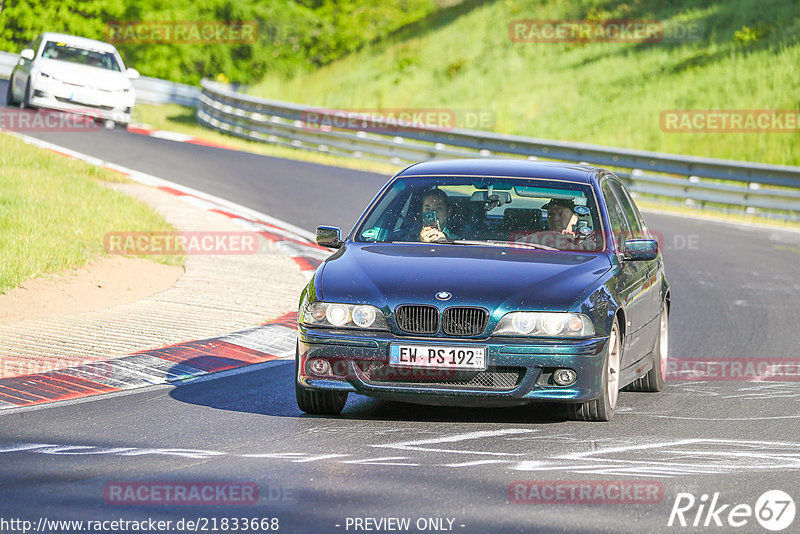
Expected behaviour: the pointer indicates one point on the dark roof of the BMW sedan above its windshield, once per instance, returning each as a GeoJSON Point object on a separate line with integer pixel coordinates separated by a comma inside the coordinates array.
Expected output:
{"type": "Point", "coordinates": [512, 168]}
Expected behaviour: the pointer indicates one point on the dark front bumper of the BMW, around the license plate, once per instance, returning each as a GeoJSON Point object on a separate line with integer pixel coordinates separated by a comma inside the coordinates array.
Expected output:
{"type": "Point", "coordinates": [360, 365]}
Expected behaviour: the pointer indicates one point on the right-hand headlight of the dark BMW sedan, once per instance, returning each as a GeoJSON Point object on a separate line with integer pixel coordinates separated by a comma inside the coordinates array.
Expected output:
{"type": "Point", "coordinates": [544, 324]}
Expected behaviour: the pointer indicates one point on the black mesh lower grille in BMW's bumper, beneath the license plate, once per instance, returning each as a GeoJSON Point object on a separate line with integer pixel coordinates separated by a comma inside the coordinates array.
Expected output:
{"type": "Point", "coordinates": [498, 378]}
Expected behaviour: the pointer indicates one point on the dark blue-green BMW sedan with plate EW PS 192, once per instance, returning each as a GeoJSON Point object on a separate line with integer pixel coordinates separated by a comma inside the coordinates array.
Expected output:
{"type": "Point", "coordinates": [488, 283]}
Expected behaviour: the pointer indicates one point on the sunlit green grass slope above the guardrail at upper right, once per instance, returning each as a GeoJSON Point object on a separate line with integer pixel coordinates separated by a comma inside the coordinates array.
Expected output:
{"type": "Point", "coordinates": [606, 94]}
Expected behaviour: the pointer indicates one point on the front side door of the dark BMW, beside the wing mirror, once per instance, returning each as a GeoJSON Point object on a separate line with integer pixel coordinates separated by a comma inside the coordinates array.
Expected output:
{"type": "Point", "coordinates": [631, 280]}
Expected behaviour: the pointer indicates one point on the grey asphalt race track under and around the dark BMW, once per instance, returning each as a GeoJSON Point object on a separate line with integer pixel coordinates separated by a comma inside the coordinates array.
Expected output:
{"type": "Point", "coordinates": [734, 292]}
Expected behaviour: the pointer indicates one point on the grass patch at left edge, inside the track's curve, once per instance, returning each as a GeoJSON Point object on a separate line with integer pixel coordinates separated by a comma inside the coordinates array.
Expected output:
{"type": "Point", "coordinates": [55, 211]}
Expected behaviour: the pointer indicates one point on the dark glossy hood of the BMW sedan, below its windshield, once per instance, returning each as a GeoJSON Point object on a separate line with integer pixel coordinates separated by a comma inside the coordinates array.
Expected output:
{"type": "Point", "coordinates": [492, 277]}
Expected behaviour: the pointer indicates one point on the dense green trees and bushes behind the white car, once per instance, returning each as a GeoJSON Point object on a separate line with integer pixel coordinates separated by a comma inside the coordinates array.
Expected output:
{"type": "Point", "coordinates": [293, 35]}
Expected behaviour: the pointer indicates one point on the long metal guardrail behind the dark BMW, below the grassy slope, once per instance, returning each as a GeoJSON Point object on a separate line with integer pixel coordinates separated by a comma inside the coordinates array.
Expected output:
{"type": "Point", "coordinates": [769, 190]}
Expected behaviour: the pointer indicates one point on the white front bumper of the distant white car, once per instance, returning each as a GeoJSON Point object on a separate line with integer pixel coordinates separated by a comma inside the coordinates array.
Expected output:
{"type": "Point", "coordinates": [109, 105]}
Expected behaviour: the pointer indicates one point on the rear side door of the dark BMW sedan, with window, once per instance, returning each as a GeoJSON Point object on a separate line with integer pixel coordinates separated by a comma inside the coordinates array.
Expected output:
{"type": "Point", "coordinates": [652, 284]}
